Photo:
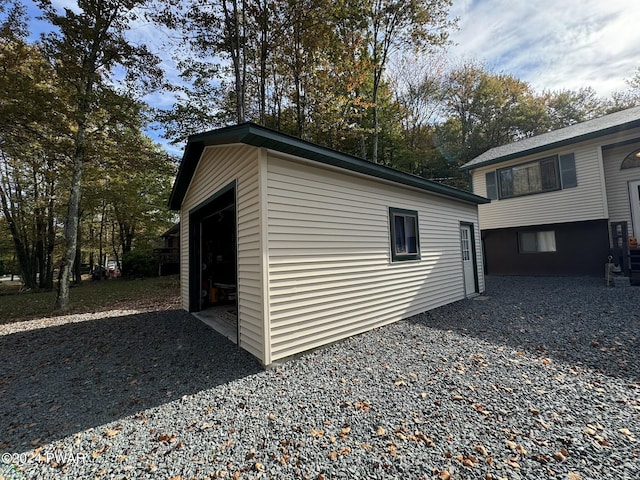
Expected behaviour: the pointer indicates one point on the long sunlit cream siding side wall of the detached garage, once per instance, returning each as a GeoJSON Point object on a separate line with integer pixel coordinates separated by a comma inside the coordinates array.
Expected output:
{"type": "Point", "coordinates": [330, 273]}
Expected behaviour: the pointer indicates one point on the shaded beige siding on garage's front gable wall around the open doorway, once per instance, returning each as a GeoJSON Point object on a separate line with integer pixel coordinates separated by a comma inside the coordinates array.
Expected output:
{"type": "Point", "coordinates": [218, 167]}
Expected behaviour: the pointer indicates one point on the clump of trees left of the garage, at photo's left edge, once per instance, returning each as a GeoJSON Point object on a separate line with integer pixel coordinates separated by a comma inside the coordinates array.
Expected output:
{"type": "Point", "coordinates": [77, 172]}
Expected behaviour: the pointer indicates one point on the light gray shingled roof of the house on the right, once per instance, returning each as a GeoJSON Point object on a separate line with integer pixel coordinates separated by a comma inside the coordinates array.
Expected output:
{"type": "Point", "coordinates": [606, 125]}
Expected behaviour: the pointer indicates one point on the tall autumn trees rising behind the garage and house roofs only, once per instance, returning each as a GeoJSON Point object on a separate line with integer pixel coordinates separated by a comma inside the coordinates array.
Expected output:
{"type": "Point", "coordinates": [367, 77]}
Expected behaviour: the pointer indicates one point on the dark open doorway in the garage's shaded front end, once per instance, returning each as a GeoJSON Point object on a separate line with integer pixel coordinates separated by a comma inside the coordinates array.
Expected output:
{"type": "Point", "coordinates": [213, 257]}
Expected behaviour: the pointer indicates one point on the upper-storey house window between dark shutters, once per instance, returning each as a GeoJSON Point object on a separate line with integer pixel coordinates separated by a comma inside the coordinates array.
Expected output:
{"type": "Point", "coordinates": [532, 177]}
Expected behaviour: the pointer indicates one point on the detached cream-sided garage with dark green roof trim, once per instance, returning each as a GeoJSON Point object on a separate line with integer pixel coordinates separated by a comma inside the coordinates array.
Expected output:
{"type": "Point", "coordinates": [295, 245]}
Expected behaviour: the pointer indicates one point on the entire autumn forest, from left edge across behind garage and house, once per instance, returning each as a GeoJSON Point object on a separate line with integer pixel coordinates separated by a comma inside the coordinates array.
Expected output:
{"type": "Point", "coordinates": [81, 178]}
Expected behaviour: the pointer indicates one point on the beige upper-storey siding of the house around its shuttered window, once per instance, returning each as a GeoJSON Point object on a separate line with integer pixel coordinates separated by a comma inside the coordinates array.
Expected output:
{"type": "Point", "coordinates": [587, 201]}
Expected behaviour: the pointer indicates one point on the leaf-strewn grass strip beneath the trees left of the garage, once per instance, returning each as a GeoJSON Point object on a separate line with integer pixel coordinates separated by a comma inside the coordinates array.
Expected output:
{"type": "Point", "coordinates": [152, 293]}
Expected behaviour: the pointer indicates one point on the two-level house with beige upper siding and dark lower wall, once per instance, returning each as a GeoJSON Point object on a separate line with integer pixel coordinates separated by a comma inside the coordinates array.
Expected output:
{"type": "Point", "coordinates": [563, 201]}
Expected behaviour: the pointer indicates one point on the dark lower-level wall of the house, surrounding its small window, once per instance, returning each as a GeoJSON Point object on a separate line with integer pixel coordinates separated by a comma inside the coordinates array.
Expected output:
{"type": "Point", "coordinates": [582, 248]}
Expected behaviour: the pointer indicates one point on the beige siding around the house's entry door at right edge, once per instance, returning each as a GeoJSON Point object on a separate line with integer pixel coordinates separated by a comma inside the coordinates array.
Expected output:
{"type": "Point", "coordinates": [618, 183]}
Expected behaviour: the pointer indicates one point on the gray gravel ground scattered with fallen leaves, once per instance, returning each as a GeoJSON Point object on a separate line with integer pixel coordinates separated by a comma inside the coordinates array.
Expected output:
{"type": "Point", "coordinates": [538, 378]}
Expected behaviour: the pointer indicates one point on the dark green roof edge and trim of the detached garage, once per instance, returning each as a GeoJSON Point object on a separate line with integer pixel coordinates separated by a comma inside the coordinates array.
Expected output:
{"type": "Point", "coordinates": [258, 136]}
